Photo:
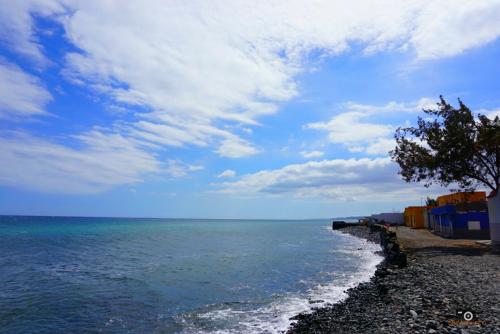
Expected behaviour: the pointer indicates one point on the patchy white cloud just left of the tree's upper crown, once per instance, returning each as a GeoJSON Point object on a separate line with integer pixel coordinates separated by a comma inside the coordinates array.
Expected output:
{"type": "Point", "coordinates": [356, 129]}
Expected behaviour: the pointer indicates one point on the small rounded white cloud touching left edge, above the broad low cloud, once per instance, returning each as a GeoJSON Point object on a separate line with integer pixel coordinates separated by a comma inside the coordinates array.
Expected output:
{"type": "Point", "coordinates": [21, 94]}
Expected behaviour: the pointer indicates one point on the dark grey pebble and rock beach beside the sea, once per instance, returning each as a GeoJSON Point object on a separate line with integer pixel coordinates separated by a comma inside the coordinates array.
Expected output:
{"type": "Point", "coordinates": [418, 294]}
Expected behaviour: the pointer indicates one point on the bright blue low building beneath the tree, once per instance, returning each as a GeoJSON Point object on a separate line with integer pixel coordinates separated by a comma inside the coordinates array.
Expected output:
{"type": "Point", "coordinates": [463, 221]}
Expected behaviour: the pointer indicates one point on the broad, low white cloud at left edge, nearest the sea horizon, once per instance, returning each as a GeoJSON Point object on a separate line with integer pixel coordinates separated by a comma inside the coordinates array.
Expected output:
{"type": "Point", "coordinates": [101, 162]}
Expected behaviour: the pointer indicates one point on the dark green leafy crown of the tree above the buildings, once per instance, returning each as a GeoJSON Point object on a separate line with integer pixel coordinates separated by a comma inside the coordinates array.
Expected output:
{"type": "Point", "coordinates": [450, 146]}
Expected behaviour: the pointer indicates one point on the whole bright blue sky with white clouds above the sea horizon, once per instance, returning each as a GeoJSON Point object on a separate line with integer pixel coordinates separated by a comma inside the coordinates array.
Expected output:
{"type": "Point", "coordinates": [228, 109]}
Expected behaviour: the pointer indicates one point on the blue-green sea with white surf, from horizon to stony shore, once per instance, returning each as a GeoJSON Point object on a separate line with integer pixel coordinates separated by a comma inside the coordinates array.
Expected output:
{"type": "Point", "coordinates": [114, 275]}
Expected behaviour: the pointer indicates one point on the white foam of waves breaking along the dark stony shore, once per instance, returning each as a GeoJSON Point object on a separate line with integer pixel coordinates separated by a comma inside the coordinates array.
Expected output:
{"type": "Point", "coordinates": [275, 317]}
